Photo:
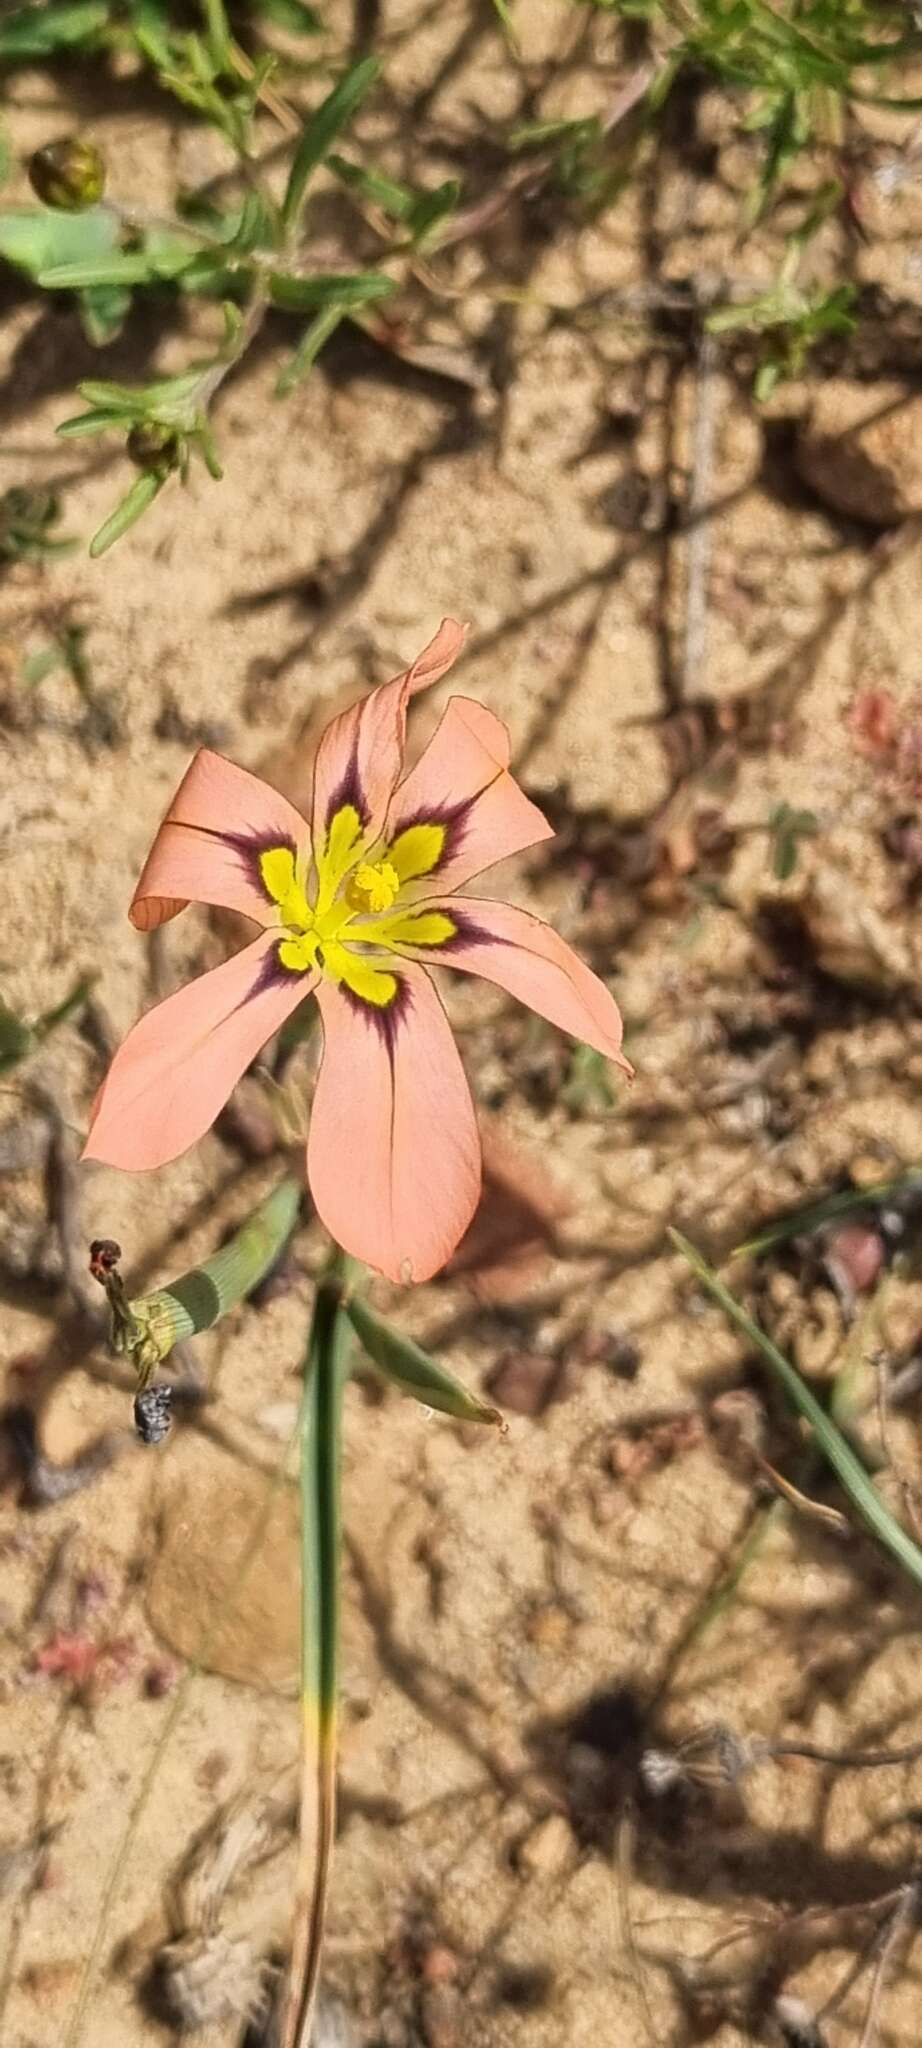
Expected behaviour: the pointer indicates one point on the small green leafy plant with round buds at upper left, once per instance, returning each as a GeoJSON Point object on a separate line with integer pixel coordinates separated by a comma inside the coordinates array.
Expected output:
{"type": "Point", "coordinates": [247, 255]}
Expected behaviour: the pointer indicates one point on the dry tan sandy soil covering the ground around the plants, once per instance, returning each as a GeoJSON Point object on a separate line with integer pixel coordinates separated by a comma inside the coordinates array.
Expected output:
{"type": "Point", "coordinates": [523, 1617]}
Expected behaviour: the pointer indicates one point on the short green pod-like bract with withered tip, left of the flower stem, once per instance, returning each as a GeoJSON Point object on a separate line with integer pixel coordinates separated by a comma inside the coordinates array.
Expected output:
{"type": "Point", "coordinates": [204, 1295]}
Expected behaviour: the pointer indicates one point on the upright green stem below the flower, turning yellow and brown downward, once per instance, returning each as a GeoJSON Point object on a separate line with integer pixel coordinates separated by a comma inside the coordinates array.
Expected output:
{"type": "Point", "coordinates": [327, 1371]}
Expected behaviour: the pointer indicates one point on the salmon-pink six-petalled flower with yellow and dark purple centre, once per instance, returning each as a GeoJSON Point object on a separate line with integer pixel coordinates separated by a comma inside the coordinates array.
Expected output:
{"type": "Point", "coordinates": [351, 908]}
